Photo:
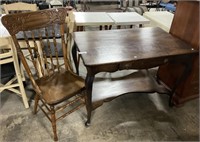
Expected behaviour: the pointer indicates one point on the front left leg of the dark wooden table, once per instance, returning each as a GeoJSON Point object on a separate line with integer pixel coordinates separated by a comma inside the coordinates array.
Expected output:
{"type": "Point", "coordinates": [89, 83]}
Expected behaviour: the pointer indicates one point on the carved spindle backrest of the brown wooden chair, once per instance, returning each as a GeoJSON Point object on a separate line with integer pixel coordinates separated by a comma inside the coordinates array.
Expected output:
{"type": "Point", "coordinates": [40, 33]}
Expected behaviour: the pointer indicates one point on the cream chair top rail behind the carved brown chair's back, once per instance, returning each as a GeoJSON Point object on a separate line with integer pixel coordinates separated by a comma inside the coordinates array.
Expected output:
{"type": "Point", "coordinates": [19, 7]}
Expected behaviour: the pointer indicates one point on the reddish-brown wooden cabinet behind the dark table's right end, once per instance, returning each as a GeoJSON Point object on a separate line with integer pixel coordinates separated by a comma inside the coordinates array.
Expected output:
{"type": "Point", "coordinates": [185, 26]}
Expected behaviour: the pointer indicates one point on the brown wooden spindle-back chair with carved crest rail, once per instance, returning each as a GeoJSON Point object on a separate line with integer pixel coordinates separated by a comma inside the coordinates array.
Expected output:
{"type": "Point", "coordinates": [55, 84]}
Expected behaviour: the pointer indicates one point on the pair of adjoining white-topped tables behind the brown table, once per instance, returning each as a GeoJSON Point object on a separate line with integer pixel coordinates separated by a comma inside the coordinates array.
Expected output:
{"type": "Point", "coordinates": [107, 20]}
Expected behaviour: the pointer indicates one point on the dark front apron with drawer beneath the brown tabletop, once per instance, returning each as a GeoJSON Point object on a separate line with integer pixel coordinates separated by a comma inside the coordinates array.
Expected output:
{"type": "Point", "coordinates": [138, 64]}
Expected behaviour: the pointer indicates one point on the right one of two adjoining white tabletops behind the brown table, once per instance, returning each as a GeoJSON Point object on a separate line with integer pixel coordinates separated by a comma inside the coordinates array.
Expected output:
{"type": "Point", "coordinates": [128, 18]}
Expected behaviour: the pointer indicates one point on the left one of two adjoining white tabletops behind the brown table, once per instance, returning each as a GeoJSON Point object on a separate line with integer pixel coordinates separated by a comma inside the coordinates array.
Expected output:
{"type": "Point", "coordinates": [92, 19]}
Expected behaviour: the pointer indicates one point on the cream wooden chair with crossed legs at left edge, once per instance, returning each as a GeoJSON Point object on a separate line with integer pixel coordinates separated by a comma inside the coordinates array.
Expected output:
{"type": "Point", "coordinates": [10, 68]}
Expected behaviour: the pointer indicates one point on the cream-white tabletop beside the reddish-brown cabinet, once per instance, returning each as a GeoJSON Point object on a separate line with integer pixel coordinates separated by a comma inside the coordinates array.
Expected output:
{"type": "Point", "coordinates": [162, 19]}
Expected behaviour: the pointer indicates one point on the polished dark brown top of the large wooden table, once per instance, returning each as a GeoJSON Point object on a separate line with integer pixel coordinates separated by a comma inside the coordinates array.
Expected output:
{"type": "Point", "coordinates": [129, 45]}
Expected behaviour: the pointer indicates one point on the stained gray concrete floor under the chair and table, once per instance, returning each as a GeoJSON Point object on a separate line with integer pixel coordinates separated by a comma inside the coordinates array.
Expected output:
{"type": "Point", "coordinates": [129, 118]}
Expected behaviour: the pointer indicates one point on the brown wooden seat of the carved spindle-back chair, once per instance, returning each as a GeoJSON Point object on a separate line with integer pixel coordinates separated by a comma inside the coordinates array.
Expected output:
{"type": "Point", "coordinates": [60, 86]}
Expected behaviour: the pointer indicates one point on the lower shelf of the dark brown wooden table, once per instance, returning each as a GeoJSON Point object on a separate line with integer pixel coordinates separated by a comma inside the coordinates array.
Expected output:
{"type": "Point", "coordinates": [108, 86]}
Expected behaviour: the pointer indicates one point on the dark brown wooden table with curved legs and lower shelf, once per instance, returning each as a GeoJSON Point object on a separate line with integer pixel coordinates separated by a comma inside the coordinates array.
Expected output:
{"type": "Point", "coordinates": [127, 49]}
